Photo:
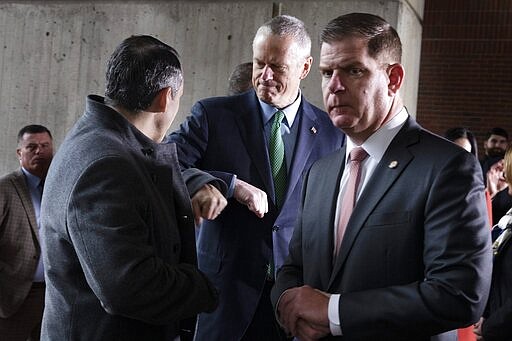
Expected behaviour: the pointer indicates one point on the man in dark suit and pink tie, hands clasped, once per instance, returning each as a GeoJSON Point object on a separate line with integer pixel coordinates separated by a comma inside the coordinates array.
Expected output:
{"type": "Point", "coordinates": [415, 258]}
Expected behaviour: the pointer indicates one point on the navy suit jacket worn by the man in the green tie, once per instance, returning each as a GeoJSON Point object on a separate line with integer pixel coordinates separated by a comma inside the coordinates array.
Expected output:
{"type": "Point", "coordinates": [225, 136]}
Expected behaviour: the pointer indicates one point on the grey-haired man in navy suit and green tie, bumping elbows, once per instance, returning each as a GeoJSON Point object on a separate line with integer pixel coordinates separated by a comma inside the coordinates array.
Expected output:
{"type": "Point", "coordinates": [228, 136]}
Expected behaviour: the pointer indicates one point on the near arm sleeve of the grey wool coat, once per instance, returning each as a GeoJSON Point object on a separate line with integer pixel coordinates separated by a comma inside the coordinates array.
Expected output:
{"type": "Point", "coordinates": [112, 228]}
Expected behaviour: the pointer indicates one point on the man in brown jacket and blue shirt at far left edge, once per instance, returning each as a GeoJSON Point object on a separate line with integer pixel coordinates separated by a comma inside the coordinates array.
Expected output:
{"type": "Point", "coordinates": [21, 266]}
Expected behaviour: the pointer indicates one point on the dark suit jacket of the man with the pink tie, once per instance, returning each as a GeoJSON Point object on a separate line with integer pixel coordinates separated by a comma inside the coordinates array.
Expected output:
{"type": "Point", "coordinates": [415, 259]}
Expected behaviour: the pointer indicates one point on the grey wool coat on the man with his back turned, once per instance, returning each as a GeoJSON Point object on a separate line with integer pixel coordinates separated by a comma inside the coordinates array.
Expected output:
{"type": "Point", "coordinates": [118, 235]}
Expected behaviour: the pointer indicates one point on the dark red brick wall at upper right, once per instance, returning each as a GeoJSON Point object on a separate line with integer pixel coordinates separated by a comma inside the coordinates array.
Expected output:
{"type": "Point", "coordinates": [466, 66]}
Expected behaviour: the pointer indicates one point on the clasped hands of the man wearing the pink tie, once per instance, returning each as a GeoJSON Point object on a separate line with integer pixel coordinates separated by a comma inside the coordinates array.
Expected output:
{"type": "Point", "coordinates": [303, 312]}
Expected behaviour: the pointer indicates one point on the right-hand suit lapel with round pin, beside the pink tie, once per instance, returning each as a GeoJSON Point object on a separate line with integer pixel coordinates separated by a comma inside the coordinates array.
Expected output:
{"type": "Point", "coordinates": [393, 163]}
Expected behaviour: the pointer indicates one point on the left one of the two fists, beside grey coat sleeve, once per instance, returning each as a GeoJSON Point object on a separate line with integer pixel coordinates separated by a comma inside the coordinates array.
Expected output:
{"type": "Point", "coordinates": [207, 203]}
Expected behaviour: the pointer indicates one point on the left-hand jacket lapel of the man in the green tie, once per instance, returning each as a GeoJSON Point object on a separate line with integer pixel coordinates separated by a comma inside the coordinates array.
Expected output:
{"type": "Point", "coordinates": [254, 138]}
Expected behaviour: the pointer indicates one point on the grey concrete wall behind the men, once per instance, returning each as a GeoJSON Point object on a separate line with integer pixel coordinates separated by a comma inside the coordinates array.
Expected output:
{"type": "Point", "coordinates": [53, 53]}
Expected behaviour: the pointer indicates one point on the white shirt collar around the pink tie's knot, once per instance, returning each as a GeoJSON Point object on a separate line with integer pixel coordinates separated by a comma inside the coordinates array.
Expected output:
{"type": "Point", "coordinates": [377, 143]}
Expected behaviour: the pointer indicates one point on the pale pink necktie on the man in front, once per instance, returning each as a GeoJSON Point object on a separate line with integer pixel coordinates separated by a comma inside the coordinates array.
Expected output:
{"type": "Point", "coordinates": [357, 155]}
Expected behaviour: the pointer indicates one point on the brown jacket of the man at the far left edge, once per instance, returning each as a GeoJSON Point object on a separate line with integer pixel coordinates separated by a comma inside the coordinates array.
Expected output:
{"type": "Point", "coordinates": [19, 242]}
